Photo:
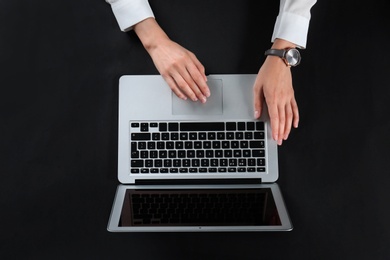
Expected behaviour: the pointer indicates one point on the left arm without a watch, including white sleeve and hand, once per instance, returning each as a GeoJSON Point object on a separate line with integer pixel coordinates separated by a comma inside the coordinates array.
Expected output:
{"type": "Point", "coordinates": [179, 67]}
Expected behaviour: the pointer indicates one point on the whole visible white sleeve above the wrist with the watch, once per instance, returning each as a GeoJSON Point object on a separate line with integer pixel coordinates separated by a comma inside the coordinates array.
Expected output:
{"type": "Point", "coordinates": [292, 23]}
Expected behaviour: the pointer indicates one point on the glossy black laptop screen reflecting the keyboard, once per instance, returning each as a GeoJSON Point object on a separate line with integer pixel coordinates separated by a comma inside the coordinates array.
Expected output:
{"type": "Point", "coordinates": [237, 207]}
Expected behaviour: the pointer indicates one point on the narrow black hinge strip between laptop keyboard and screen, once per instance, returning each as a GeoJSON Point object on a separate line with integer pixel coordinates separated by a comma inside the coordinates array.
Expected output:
{"type": "Point", "coordinates": [198, 181]}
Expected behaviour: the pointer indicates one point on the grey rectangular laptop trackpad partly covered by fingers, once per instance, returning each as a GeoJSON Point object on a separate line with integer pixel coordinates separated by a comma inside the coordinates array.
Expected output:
{"type": "Point", "coordinates": [213, 106]}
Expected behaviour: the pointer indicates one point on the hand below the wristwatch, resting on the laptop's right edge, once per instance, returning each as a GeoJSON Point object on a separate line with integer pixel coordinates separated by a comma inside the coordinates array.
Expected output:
{"type": "Point", "coordinates": [274, 85]}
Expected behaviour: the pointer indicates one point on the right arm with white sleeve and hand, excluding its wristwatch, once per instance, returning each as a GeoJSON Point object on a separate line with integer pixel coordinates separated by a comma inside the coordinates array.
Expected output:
{"type": "Point", "coordinates": [274, 81]}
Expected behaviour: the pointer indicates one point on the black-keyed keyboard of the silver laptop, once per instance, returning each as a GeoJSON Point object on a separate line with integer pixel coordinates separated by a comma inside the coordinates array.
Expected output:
{"type": "Point", "coordinates": [197, 147]}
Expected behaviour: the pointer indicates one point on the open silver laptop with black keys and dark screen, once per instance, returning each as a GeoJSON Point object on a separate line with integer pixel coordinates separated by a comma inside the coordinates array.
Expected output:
{"type": "Point", "coordinates": [184, 166]}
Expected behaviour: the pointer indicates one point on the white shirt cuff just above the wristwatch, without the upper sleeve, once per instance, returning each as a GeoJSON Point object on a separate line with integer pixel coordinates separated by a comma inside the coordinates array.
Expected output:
{"type": "Point", "coordinates": [291, 27]}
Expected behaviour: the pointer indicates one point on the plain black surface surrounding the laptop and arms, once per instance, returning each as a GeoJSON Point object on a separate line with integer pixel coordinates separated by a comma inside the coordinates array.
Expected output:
{"type": "Point", "coordinates": [60, 64]}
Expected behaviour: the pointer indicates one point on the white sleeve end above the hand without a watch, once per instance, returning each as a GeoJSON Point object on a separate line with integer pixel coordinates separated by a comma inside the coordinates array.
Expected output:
{"type": "Point", "coordinates": [130, 12]}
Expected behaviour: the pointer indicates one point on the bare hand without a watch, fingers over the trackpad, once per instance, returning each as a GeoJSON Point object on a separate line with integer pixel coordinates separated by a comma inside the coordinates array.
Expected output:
{"type": "Point", "coordinates": [179, 67]}
